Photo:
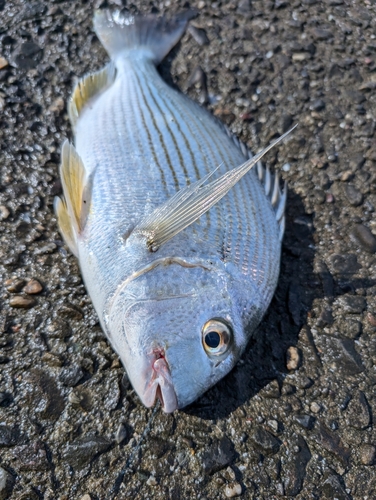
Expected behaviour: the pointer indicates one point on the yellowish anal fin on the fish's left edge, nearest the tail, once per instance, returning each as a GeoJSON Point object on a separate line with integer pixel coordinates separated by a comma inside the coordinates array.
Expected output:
{"type": "Point", "coordinates": [87, 87]}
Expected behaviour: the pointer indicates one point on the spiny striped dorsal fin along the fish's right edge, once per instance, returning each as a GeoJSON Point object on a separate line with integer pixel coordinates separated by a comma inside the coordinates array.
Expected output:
{"type": "Point", "coordinates": [273, 190]}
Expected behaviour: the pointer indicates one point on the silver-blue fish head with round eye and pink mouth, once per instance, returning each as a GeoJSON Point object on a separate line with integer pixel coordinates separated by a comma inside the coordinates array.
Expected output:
{"type": "Point", "coordinates": [177, 331]}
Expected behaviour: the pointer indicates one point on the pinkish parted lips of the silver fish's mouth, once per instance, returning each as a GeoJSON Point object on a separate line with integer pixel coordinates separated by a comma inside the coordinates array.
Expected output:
{"type": "Point", "coordinates": [160, 384]}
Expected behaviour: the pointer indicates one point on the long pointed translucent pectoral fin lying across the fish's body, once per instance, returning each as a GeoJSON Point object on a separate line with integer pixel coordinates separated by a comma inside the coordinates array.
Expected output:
{"type": "Point", "coordinates": [188, 204]}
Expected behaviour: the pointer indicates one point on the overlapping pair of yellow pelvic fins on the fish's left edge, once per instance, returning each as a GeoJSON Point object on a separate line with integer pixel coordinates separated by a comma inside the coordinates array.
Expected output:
{"type": "Point", "coordinates": [73, 209]}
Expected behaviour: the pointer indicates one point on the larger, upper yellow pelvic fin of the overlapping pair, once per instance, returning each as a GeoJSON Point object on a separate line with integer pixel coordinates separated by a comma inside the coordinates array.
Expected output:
{"type": "Point", "coordinates": [76, 186]}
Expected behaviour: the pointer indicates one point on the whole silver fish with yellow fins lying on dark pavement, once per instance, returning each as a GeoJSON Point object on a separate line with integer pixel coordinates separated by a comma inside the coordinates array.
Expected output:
{"type": "Point", "coordinates": [177, 227]}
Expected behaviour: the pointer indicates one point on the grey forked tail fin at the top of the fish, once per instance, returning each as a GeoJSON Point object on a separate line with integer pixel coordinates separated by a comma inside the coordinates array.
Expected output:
{"type": "Point", "coordinates": [125, 32]}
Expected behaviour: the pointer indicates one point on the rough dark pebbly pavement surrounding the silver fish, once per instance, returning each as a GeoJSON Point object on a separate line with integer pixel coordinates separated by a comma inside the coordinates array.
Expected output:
{"type": "Point", "coordinates": [295, 417]}
